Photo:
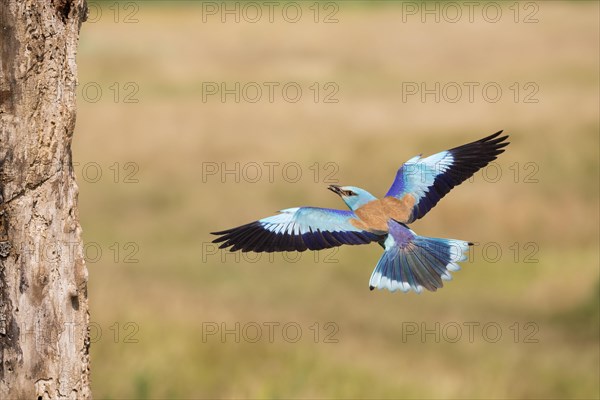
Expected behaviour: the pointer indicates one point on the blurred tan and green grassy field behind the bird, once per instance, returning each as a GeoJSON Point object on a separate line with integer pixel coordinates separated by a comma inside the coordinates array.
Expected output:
{"type": "Point", "coordinates": [158, 285]}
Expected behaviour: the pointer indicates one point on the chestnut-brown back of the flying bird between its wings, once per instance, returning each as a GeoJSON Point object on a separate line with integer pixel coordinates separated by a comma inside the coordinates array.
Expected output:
{"type": "Point", "coordinates": [374, 215]}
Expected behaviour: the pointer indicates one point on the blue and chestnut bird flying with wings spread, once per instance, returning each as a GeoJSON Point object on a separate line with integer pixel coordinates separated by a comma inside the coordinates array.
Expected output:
{"type": "Point", "coordinates": [409, 261]}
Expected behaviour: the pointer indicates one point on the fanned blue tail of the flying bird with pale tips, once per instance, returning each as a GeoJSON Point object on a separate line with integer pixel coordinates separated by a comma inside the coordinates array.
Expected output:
{"type": "Point", "coordinates": [416, 262]}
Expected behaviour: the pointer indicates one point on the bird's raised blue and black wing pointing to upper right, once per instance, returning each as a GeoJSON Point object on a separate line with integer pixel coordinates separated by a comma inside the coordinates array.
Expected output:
{"type": "Point", "coordinates": [429, 179]}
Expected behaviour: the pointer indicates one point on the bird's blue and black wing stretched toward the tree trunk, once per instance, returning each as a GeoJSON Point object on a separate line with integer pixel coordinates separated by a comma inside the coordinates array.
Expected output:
{"type": "Point", "coordinates": [296, 229]}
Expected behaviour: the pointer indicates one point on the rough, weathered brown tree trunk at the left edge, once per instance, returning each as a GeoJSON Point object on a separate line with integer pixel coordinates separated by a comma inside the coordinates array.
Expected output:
{"type": "Point", "coordinates": [44, 340]}
